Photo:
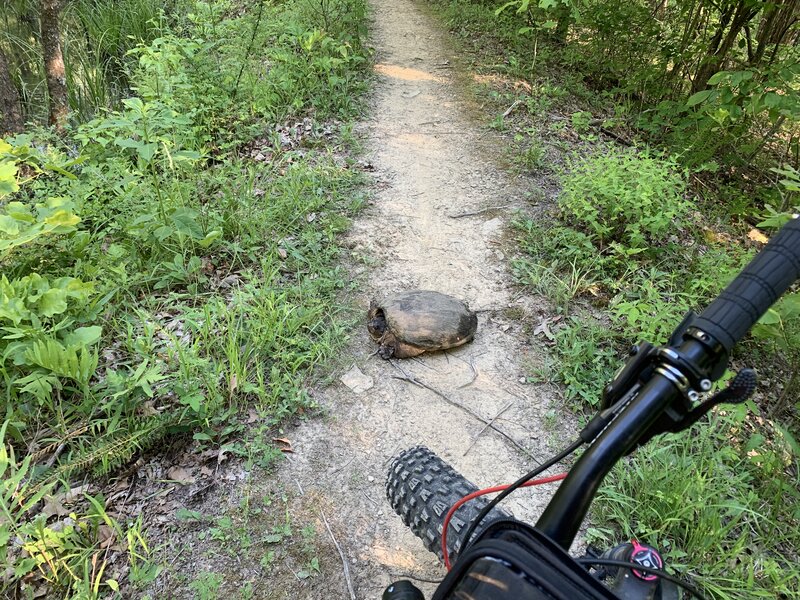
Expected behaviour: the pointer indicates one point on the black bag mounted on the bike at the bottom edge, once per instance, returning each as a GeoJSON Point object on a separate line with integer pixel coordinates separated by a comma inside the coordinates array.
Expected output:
{"type": "Point", "coordinates": [513, 561]}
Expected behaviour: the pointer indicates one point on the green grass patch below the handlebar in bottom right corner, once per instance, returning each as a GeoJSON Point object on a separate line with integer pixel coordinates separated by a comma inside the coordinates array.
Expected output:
{"type": "Point", "coordinates": [721, 507]}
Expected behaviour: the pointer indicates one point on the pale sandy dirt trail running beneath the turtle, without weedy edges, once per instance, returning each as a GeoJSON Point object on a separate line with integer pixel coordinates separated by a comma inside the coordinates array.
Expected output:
{"type": "Point", "coordinates": [431, 162]}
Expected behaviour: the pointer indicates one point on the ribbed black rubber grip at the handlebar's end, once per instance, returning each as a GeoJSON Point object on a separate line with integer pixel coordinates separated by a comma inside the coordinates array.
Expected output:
{"type": "Point", "coordinates": [731, 315]}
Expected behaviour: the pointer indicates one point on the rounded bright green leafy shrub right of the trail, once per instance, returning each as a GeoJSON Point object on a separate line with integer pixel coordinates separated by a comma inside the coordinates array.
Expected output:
{"type": "Point", "coordinates": [633, 198]}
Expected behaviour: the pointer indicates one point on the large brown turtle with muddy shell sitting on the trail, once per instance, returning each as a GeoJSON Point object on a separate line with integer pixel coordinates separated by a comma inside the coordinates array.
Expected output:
{"type": "Point", "coordinates": [417, 321]}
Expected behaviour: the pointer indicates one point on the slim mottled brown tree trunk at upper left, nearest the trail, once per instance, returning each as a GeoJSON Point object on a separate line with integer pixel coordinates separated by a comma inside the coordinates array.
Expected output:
{"type": "Point", "coordinates": [54, 62]}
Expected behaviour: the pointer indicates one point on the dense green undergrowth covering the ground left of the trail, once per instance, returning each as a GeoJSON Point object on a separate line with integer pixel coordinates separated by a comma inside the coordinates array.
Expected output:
{"type": "Point", "coordinates": [171, 260]}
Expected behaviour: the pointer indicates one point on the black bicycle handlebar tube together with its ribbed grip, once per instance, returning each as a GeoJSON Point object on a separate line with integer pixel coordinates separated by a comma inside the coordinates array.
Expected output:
{"type": "Point", "coordinates": [727, 319]}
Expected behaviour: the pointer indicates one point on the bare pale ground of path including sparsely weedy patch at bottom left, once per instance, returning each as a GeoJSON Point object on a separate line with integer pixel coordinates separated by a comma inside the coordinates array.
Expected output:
{"type": "Point", "coordinates": [432, 166]}
